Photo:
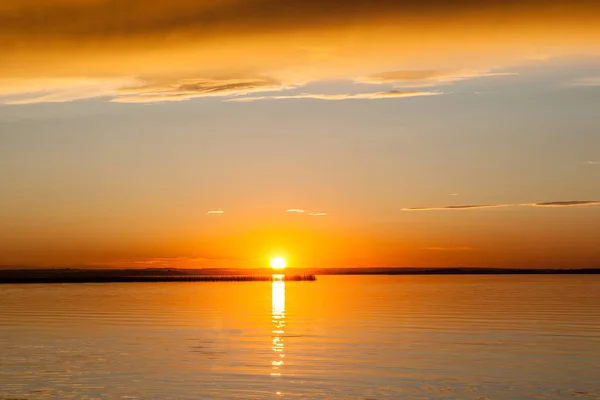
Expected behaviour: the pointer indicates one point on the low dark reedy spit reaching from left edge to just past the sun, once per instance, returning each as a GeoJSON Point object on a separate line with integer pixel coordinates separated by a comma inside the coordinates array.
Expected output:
{"type": "Point", "coordinates": [66, 278]}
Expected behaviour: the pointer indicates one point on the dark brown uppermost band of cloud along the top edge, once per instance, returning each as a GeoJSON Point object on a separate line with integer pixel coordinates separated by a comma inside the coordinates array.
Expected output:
{"type": "Point", "coordinates": [88, 19]}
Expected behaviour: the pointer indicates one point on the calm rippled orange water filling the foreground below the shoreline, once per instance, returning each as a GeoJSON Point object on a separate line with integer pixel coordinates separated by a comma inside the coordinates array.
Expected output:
{"type": "Point", "coordinates": [354, 337]}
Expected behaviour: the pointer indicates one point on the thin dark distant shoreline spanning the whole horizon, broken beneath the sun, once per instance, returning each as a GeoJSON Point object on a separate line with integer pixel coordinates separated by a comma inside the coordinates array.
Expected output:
{"type": "Point", "coordinates": [66, 275]}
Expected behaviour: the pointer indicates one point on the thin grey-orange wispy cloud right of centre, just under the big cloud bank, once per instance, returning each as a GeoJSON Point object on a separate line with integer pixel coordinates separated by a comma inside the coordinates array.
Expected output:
{"type": "Point", "coordinates": [425, 78]}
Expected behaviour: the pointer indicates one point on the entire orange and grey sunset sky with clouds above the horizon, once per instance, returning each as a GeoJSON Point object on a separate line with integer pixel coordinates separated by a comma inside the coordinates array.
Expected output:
{"type": "Point", "coordinates": [379, 133]}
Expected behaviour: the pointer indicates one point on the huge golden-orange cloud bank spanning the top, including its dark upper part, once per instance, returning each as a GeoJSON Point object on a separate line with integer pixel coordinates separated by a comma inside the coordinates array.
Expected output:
{"type": "Point", "coordinates": [182, 49]}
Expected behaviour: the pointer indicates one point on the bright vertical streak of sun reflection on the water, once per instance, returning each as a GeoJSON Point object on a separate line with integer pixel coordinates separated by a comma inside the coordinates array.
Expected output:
{"type": "Point", "coordinates": [278, 320]}
